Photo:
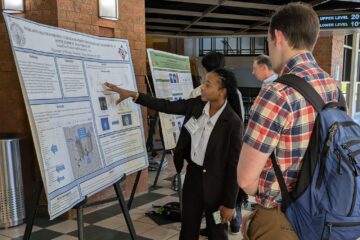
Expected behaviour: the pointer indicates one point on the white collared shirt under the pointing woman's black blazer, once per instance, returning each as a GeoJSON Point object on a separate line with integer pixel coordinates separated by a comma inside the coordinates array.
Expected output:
{"type": "Point", "coordinates": [200, 139]}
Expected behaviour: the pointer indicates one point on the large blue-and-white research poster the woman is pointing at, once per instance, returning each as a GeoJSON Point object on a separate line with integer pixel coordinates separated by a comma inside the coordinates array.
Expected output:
{"type": "Point", "coordinates": [84, 141]}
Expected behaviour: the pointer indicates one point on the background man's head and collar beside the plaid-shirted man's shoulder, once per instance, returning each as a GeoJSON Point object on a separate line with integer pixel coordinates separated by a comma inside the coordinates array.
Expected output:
{"type": "Point", "coordinates": [263, 70]}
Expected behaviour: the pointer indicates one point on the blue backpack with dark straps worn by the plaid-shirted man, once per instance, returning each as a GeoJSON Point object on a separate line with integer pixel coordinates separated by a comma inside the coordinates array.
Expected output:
{"type": "Point", "coordinates": [325, 203]}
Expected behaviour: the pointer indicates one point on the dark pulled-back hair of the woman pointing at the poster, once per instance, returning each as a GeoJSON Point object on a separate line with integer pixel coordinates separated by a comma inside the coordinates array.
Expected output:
{"type": "Point", "coordinates": [228, 81]}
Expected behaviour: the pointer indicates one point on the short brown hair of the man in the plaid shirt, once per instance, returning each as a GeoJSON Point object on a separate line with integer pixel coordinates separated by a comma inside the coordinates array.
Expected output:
{"type": "Point", "coordinates": [299, 23]}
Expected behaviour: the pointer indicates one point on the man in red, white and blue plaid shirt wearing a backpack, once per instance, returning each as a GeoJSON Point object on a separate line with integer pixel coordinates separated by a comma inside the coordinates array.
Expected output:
{"type": "Point", "coordinates": [281, 120]}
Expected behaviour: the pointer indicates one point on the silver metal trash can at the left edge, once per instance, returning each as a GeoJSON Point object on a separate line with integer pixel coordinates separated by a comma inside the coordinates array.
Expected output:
{"type": "Point", "coordinates": [12, 204]}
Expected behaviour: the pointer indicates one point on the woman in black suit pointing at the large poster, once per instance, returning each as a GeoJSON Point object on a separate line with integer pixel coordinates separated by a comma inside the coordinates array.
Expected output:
{"type": "Point", "coordinates": [210, 140]}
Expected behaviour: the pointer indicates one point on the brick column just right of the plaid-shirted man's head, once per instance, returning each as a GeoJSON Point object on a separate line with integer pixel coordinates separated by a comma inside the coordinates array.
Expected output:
{"type": "Point", "coordinates": [329, 51]}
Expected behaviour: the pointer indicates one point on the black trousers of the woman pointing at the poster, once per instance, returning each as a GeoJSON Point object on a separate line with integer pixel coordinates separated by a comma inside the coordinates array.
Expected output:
{"type": "Point", "coordinates": [193, 208]}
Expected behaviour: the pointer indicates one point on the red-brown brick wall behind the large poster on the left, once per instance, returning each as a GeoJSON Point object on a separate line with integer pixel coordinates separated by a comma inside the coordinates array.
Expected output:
{"type": "Point", "coordinates": [81, 16]}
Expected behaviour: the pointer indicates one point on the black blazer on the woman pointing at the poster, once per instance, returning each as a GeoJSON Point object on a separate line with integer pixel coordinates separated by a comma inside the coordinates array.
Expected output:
{"type": "Point", "coordinates": [222, 152]}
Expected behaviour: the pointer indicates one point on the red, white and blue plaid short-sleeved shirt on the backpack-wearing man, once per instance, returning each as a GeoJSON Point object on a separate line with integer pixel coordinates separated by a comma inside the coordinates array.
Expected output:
{"type": "Point", "coordinates": [281, 120]}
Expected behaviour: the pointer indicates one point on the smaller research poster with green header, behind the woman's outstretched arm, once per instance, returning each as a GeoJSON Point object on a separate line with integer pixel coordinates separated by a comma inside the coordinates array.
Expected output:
{"type": "Point", "coordinates": [172, 79]}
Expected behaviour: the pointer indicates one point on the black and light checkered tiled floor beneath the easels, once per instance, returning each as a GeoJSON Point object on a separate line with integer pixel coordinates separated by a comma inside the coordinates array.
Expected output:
{"type": "Point", "coordinates": [108, 223]}
